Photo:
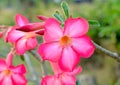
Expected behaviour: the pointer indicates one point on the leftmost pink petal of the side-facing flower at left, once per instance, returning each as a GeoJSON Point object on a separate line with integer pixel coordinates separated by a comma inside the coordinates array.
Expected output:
{"type": "Point", "coordinates": [14, 35]}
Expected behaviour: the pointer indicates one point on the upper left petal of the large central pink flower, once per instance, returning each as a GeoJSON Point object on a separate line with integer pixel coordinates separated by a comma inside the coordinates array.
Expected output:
{"type": "Point", "coordinates": [53, 30]}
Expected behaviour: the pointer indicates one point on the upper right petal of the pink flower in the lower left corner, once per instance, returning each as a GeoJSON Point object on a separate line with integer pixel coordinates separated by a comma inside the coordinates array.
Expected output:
{"type": "Point", "coordinates": [20, 69]}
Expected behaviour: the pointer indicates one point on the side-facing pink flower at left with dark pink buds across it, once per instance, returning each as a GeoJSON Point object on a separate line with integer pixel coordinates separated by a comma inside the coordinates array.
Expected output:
{"type": "Point", "coordinates": [23, 36]}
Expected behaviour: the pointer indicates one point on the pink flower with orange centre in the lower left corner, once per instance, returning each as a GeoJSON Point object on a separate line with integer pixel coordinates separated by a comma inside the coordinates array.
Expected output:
{"type": "Point", "coordinates": [11, 75]}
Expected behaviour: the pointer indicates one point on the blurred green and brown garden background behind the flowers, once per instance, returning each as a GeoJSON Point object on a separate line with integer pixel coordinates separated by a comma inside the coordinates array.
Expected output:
{"type": "Point", "coordinates": [105, 70]}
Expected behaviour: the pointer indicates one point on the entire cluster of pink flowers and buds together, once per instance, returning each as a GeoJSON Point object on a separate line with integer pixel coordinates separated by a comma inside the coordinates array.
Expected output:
{"type": "Point", "coordinates": [63, 47]}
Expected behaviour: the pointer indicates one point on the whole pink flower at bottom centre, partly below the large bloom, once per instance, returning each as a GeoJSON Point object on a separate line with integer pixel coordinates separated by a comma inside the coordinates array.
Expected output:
{"type": "Point", "coordinates": [61, 77]}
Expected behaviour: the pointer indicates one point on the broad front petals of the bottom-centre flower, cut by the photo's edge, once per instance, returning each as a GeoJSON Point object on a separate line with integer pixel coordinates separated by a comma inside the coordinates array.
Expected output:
{"type": "Point", "coordinates": [62, 79]}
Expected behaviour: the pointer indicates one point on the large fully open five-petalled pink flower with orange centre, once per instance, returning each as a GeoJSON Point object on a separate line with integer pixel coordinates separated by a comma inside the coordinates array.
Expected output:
{"type": "Point", "coordinates": [67, 45]}
